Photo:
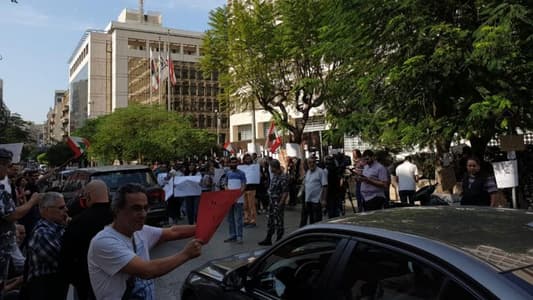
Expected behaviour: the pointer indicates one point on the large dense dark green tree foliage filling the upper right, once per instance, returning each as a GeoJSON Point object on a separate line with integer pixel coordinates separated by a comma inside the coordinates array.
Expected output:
{"type": "Point", "coordinates": [426, 72]}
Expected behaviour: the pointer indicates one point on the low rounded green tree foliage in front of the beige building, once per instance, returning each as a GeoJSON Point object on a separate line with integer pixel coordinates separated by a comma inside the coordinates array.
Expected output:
{"type": "Point", "coordinates": [144, 133]}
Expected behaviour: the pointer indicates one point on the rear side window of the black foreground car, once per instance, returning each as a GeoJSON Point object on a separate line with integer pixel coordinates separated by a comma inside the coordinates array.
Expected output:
{"type": "Point", "coordinates": [375, 272]}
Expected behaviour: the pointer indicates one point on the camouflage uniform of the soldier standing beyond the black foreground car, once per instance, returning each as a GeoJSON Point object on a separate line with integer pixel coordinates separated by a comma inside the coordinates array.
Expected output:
{"type": "Point", "coordinates": [279, 184]}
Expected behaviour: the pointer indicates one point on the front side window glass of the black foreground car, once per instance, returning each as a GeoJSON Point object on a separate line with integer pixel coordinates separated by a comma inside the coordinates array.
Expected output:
{"type": "Point", "coordinates": [293, 271]}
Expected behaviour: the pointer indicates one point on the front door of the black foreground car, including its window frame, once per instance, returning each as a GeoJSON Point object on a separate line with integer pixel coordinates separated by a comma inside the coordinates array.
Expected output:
{"type": "Point", "coordinates": [299, 268]}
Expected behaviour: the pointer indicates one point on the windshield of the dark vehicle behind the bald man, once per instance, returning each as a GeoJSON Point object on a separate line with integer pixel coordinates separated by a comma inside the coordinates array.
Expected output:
{"type": "Point", "coordinates": [116, 179]}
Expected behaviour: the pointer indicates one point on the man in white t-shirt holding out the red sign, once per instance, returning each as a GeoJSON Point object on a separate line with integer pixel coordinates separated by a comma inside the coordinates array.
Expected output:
{"type": "Point", "coordinates": [119, 259]}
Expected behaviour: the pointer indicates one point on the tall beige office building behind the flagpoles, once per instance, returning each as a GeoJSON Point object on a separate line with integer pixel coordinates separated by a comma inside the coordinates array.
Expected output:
{"type": "Point", "coordinates": [109, 69]}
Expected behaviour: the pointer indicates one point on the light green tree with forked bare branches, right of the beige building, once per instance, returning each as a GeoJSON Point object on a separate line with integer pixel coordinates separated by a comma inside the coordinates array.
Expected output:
{"type": "Point", "coordinates": [268, 52]}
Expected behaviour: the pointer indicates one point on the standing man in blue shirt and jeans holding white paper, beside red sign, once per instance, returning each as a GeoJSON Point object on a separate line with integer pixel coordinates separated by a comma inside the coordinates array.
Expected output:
{"type": "Point", "coordinates": [235, 179]}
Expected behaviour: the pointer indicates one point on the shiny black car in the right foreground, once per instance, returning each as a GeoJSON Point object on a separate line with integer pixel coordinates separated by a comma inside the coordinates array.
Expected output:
{"type": "Point", "coordinates": [440, 252]}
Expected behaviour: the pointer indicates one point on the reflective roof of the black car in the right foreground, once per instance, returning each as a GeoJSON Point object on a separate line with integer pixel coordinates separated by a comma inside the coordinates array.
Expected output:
{"type": "Point", "coordinates": [501, 237]}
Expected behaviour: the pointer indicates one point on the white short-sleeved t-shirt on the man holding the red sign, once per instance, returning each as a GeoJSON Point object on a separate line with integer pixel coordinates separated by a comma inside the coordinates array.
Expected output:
{"type": "Point", "coordinates": [109, 252]}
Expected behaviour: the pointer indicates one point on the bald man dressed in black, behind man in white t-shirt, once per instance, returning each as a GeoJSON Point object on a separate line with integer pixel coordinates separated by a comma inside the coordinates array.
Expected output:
{"type": "Point", "coordinates": [79, 233]}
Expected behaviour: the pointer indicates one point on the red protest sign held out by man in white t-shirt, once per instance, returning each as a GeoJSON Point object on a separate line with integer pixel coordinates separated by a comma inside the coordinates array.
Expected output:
{"type": "Point", "coordinates": [211, 211]}
